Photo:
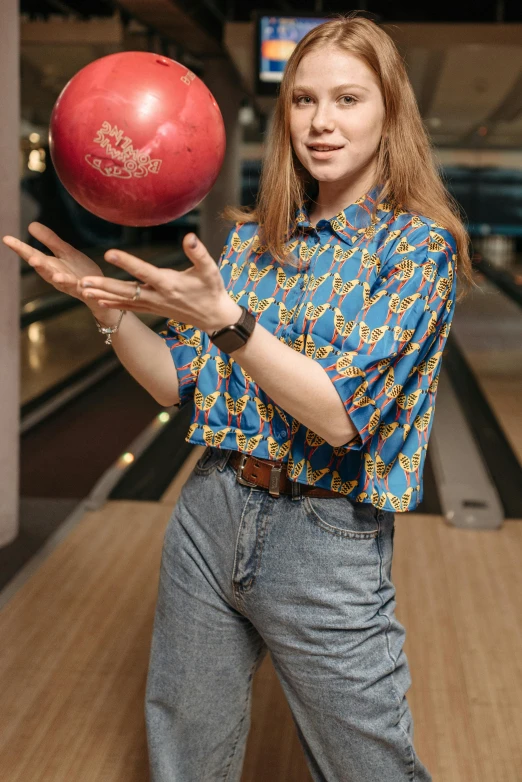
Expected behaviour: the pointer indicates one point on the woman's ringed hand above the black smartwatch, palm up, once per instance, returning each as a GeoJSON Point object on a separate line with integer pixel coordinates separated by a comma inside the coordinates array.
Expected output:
{"type": "Point", "coordinates": [195, 296]}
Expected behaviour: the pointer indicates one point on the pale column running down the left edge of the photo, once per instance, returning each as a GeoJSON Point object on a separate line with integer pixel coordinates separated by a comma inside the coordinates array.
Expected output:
{"type": "Point", "coordinates": [9, 270]}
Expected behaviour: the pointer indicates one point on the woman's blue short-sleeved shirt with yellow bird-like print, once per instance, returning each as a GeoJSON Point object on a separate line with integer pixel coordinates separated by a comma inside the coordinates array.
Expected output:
{"type": "Point", "coordinates": [372, 303]}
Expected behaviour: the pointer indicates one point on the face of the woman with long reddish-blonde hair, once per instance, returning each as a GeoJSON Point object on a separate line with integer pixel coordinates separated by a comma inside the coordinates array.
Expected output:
{"type": "Point", "coordinates": [337, 116]}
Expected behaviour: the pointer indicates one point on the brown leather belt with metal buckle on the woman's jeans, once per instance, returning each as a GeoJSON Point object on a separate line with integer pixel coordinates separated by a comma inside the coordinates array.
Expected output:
{"type": "Point", "coordinates": [271, 475]}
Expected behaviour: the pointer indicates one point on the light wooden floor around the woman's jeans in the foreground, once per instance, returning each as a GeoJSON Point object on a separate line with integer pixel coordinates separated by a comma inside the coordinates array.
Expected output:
{"type": "Point", "coordinates": [76, 639]}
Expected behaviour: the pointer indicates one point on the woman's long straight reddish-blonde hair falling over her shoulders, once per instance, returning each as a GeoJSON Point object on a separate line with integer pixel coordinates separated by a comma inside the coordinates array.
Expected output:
{"type": "Point", "coordinates": [405, 165]}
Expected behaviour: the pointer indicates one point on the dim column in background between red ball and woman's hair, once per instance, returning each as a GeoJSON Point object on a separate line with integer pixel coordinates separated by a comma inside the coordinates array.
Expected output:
{"type": "Point", "coordinates": [222, 82]}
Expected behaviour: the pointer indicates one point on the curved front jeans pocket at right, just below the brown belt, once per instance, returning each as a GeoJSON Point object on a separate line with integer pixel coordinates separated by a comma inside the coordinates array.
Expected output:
{"type": "Point", "coordinates": [344, 518]}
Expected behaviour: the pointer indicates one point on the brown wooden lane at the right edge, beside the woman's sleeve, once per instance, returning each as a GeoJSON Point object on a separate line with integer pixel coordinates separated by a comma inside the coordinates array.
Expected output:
{"type": "Point", "coordinates": [488, 327]}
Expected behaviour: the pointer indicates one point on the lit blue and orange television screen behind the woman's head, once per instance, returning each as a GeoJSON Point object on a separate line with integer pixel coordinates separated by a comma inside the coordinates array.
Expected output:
{"type": "Point", "coordinates": [277, 38]}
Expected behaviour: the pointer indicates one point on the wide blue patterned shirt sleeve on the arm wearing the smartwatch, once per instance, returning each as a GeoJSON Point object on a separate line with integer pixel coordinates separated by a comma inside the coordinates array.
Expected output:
{"type": "Point", "coordinates": [377, 364]}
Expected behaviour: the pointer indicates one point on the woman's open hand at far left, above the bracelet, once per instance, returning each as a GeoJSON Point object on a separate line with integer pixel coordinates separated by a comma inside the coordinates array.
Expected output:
{"type": "Point", "coordinates": [63, 269]}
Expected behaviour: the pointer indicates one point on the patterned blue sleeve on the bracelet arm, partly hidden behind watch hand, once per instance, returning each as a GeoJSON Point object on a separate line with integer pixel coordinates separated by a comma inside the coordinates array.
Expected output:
{"type": "Point", "coordinates": [186, 344]}
